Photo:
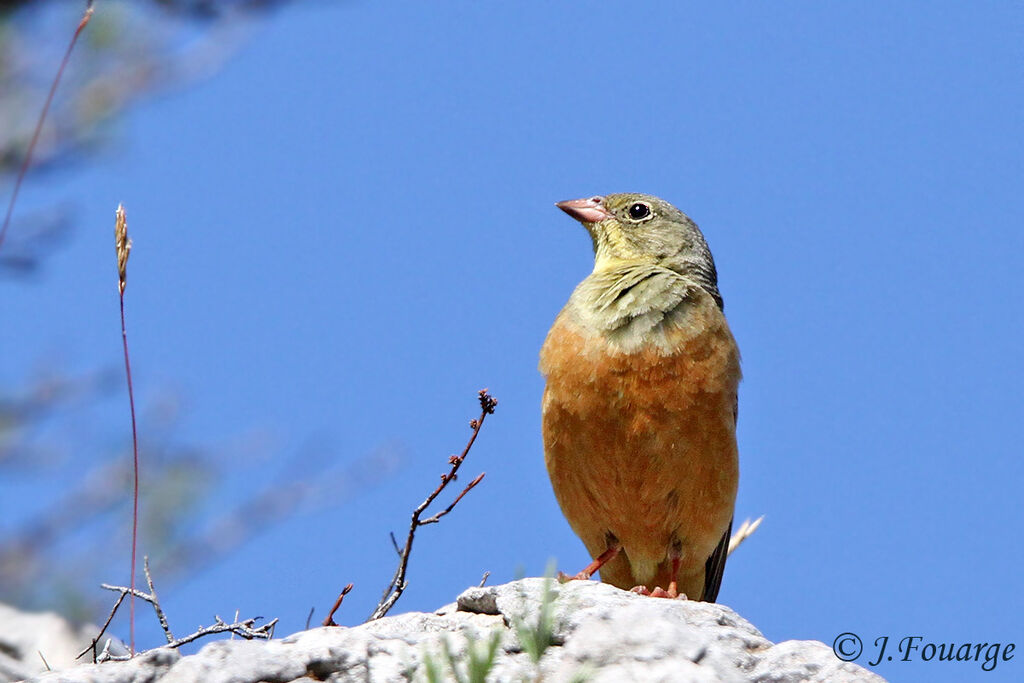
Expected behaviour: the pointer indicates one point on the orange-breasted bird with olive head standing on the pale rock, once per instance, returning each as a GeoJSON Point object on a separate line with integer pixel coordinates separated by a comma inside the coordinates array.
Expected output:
{"type": "Point", "coordinates": [641, 403]}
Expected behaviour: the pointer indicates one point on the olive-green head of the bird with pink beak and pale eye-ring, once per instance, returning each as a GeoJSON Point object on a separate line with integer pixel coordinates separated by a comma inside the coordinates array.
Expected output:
{"type": "Point", "coordinates": [634, 229]}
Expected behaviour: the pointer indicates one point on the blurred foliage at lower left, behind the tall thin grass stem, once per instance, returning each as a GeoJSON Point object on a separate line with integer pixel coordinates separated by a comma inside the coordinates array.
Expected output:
{"type": "Point", "coordinates": [53, 442]}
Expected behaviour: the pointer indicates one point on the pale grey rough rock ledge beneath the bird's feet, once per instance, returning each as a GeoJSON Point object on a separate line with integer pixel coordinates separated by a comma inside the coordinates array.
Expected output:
{"type": "Point", "coordinates": [530, 630]}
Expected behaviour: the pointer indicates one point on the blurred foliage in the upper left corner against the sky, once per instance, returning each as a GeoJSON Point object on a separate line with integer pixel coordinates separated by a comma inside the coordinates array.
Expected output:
{"type": "Point", "coordinates": [131, 51]}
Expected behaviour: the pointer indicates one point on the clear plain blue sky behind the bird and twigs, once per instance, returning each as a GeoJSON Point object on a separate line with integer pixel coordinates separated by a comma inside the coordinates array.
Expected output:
{"type": "Point", "coordinates": [351, 230]}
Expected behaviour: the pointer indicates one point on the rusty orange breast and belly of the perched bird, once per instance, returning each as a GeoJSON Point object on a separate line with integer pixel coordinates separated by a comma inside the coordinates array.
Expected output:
{"type": "Point", "coordinates": [643, 446]}
